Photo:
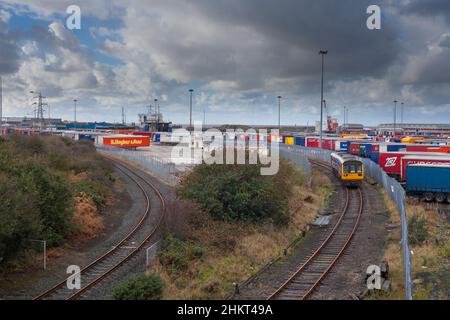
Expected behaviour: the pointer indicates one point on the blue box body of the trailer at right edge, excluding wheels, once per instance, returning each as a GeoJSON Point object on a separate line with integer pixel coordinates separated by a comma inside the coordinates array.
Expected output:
{"type": "Point", "coordinates": [420, 178]}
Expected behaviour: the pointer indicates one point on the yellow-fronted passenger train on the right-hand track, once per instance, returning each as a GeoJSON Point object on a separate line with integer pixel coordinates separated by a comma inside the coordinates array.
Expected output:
{"type": "Point", "coordinates": [348, 168]}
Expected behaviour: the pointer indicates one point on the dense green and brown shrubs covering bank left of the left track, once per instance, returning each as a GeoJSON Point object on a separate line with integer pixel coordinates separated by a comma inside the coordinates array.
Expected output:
{"type": "Point", "coordinates": [36, 196]}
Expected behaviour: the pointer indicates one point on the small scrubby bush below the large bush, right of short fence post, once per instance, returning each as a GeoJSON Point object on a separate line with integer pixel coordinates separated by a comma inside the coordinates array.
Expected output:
{"type": "Point", "coordinates": [176, 254]}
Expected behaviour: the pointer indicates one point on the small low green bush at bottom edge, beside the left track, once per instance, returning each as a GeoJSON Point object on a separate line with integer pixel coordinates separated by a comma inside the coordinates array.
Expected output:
{"type": "Point", "coordinates": [139, 287]}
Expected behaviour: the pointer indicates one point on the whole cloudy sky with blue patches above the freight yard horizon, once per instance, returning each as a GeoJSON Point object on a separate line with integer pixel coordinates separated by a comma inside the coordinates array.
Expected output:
{"type": "Point", "coordinates": [238, 55]}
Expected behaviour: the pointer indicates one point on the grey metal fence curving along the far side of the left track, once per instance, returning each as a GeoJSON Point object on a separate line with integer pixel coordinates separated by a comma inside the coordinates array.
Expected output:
{"type": "Point", "coordinates": [164, 170]}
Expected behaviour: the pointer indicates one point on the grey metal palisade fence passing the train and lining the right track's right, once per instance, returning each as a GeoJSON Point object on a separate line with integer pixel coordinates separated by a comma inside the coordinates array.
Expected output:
{"type": "Point", "coordinates": [300, 155]}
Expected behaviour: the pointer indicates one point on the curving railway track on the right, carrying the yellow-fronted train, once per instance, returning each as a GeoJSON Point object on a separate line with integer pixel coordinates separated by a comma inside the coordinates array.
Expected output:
{"type": "Point", "coordinates": [308, 276]}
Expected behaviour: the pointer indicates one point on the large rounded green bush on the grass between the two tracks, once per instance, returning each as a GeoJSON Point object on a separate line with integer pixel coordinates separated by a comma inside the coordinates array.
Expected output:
{"type": "Point", "coordinates": [235, 193]}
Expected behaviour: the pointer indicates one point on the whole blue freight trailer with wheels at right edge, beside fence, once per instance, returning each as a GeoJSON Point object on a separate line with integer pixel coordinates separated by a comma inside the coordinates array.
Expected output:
{"type": "Point", "coordinates": [432, 181]}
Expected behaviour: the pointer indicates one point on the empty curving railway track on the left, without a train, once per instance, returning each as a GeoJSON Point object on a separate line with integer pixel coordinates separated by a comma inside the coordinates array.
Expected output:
{"type": "Point", "coordinates": [127, 248]}
